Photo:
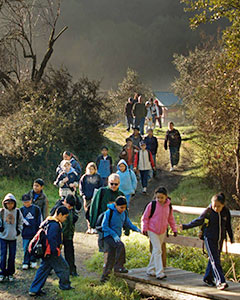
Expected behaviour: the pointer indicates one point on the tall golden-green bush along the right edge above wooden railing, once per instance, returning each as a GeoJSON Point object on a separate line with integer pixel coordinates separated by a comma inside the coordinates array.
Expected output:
{"type": "Point", "coordinates": [210, 91]}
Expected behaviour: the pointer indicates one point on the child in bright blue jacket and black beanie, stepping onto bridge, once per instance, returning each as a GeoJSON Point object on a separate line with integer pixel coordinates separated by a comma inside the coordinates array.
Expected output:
{"type": "Point", "coordinates": [112, 225]}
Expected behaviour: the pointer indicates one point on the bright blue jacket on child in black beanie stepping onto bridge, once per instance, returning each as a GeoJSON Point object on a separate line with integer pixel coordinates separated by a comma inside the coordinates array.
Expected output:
{"type": "Point", "coordinates": [117, 222]}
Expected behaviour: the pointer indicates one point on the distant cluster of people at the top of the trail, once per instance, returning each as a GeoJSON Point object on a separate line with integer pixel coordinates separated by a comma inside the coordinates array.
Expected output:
{"type": "Point", "coordinates": [137, 113]}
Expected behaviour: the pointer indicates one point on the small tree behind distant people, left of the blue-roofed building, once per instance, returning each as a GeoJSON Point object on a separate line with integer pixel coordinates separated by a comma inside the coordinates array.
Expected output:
{"type": "Point", "coordinates": [130, 85]}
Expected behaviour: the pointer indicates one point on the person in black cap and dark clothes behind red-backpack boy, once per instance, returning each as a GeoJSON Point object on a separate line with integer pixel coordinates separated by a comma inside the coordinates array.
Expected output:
{"type": "Point", "coordinates": [68, 229]}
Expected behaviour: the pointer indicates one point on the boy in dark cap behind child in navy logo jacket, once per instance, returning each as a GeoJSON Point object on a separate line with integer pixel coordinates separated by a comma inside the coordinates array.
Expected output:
{"type": "Point", "coordinates": [38, 197]}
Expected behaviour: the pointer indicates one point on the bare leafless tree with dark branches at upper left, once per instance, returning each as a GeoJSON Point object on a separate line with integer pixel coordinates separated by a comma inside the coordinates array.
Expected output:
{"type": "Point", "coordinates": [22, 22]}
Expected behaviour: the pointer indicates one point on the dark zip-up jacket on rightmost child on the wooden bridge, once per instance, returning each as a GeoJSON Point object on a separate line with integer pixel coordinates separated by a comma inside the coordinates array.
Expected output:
{"type": "Point", "coordinates": [218, 224]}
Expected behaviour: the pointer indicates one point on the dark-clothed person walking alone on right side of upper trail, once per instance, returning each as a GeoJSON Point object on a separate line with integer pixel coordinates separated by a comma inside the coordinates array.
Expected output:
{"type": "Point", "coordinates": [173, 141]}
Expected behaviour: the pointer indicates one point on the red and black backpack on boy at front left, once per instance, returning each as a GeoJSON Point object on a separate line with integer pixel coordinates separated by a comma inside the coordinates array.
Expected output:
{"type": "Point", "coordinates": [38, 245]}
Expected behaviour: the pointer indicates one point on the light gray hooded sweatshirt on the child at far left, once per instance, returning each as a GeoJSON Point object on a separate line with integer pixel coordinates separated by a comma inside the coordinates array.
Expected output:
{"type": "Point", "coordinates": [9, 222]}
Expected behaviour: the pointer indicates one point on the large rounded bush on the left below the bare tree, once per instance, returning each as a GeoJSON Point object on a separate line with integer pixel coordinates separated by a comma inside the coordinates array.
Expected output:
{"type": "Point", "coordinates": [57, 115]}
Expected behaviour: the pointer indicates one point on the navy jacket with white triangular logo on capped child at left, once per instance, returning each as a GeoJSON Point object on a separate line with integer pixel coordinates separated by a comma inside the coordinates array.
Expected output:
{"type": "Point", "coordinates": [32, 219]}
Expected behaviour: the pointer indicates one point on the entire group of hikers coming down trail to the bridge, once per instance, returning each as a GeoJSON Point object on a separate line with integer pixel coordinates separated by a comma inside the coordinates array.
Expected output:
{"type": "Point", "coordinates": [106, 198]}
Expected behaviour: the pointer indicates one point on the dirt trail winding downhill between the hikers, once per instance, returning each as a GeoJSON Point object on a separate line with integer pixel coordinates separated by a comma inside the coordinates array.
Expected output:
{"type": "Point", "coordinates": [86, 245]}
